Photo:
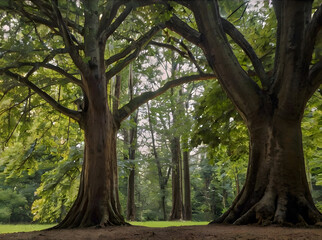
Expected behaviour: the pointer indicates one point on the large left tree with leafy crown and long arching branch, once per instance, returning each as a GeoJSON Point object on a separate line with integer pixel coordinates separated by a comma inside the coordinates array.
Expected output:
{"type": "Point", "coordinates": [72, 39]}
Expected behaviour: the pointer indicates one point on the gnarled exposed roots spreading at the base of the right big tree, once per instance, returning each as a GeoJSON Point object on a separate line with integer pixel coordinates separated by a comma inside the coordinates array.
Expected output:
{"type": "Point", "coordinates": [283, 209]}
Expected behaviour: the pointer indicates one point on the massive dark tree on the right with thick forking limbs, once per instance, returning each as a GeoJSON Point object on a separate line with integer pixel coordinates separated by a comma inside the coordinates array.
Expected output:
{"type": "Point", "coordinates": [271, 104]}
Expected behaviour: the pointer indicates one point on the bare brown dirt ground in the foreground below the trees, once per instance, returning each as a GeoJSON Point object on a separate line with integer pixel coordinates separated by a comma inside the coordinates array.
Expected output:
{"type": "Point", "coordinates": [213, 231]}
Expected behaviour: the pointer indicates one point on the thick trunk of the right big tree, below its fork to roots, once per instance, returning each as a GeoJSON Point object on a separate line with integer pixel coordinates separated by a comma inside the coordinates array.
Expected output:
{"type": "Point", "coordinates": [276, 189]}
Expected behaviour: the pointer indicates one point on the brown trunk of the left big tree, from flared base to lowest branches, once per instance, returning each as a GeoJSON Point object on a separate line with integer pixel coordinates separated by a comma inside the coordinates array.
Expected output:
{"type": "Point", "coordinates": [97, 203]}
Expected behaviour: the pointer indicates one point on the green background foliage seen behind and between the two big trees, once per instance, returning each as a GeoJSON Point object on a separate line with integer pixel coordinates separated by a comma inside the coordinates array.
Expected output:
{"type": "Point", "coordinates": [42, 151]}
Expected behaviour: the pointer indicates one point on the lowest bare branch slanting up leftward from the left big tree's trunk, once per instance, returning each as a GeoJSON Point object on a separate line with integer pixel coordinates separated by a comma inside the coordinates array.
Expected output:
{"type": "Point", "coordinates": [68, 112]}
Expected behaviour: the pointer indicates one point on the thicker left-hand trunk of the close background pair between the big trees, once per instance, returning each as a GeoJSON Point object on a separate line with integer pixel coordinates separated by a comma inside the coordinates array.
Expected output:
{"type": "Point", "coordinates": [176, 212]}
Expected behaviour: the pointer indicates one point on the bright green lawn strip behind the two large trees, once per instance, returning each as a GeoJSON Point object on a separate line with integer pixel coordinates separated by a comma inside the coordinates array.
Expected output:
{"type": "Point", "coordinates": [11, 228]}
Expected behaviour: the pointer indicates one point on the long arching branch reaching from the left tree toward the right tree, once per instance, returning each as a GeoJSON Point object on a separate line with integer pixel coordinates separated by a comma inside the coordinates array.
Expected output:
{"type": "Point", "coordinates": [136, 102]}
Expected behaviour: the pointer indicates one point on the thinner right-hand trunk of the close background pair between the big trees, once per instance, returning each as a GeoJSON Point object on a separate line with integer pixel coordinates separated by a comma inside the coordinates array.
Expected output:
{"type": "Point", "coordinates": [187, 186]}
